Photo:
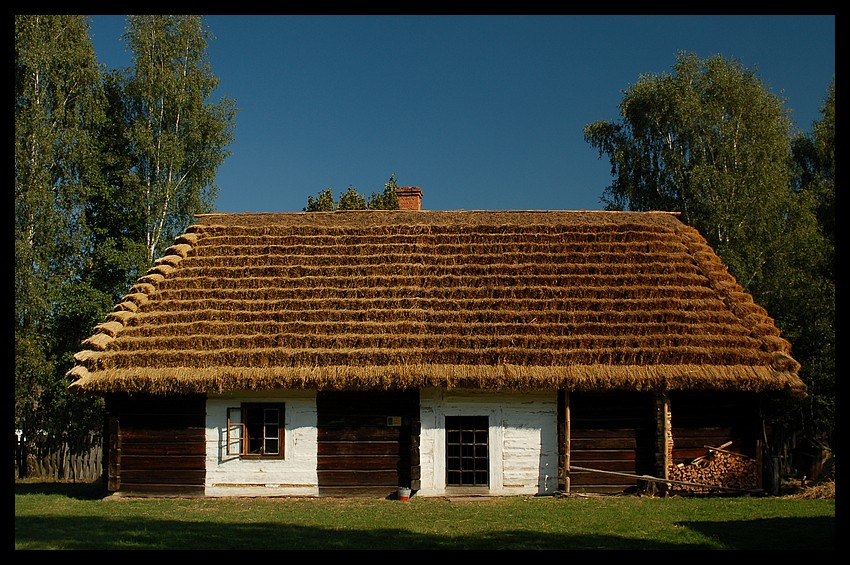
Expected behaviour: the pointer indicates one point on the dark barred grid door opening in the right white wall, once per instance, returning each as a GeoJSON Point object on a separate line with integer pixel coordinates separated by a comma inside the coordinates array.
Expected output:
{"type": "Point", "coordinates": [467, 451]}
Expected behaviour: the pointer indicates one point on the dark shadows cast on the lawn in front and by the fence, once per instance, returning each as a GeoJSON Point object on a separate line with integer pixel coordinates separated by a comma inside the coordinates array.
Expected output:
{"type": "Point", "coordinates": [138, 532]}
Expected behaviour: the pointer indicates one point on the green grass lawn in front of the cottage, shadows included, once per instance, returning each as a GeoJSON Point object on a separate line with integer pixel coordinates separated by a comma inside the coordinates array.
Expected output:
{"type": "Point", "coordinates": [78, 516]}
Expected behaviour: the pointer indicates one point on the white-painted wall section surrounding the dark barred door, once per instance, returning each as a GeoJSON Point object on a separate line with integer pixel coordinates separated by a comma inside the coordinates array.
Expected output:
{"type": "Point", "coordinates": [522, 440]}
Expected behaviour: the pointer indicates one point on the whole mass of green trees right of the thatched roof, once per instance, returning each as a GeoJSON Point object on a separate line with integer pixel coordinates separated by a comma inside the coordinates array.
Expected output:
{"type": "Point", "coordinates": [710, 142]}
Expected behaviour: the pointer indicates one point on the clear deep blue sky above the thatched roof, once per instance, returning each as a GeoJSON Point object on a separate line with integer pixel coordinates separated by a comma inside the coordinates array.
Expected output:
{"type": "Point", "coordinates": [481, 112]}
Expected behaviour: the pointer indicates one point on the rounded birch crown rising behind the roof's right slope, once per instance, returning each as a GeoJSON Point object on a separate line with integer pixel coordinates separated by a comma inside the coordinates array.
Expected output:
{"type": "Point", "coordinates": [708, 141]}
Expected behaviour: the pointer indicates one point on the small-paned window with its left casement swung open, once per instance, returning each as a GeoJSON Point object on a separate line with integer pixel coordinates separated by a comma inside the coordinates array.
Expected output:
{"type": "Point", "coordinates": [255, 429]}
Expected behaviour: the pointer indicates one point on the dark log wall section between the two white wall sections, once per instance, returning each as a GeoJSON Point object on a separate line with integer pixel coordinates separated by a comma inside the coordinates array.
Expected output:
{"type": "Point", "coordinates": [361, 452]}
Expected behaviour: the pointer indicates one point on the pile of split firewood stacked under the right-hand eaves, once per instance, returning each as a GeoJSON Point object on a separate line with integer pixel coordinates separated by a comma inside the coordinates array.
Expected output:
{"type": "Point", "coordinates": [717, 468]}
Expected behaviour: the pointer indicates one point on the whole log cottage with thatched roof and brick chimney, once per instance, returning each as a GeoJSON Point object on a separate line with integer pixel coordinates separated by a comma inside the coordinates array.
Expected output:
{"type": "Point", "coordinates": [491, 352]}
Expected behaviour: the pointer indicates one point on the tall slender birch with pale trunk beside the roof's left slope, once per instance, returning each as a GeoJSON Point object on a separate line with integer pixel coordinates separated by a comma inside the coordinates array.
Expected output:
{"type": "Point", "coordinates": [177, 135]}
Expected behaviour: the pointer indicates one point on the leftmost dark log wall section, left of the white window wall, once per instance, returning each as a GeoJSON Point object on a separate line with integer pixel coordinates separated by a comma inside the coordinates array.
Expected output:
{"type": "Point", "coordinates": [157, 444]}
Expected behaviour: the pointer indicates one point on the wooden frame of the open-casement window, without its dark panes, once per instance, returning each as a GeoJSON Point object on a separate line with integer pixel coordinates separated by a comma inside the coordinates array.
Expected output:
{"type": "Point", "coordinates": [238, 437]}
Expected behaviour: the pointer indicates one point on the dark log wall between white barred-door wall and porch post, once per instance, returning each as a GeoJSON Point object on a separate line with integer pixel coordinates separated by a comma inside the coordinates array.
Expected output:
{"type": "Point", "coordinates": [610, 432]}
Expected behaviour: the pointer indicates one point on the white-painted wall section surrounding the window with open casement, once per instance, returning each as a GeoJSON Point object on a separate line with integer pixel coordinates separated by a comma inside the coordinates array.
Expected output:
{"type": "Point", "coordinates": [295, 475]}
